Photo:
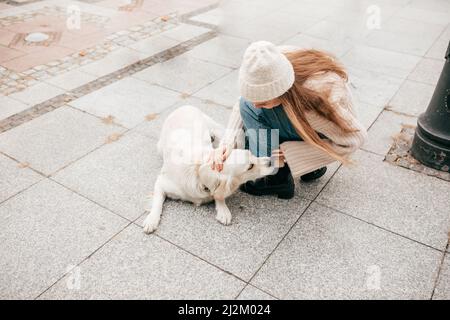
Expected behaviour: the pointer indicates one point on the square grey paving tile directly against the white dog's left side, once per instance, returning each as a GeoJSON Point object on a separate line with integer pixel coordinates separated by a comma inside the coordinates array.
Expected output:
{"type": "Point", "coordinates": [119, 176]}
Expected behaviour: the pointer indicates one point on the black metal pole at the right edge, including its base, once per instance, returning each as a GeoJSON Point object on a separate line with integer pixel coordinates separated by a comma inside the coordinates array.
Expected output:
{"type": "Point", "coordinates": [431, 144]}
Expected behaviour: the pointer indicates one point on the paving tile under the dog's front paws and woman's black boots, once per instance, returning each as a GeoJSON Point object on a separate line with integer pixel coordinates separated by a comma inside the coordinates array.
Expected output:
{"type": "Point", "coordinates": [258, 224]}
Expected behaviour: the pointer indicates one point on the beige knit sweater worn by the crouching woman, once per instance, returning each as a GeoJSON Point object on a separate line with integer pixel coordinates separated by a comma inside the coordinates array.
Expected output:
{"type": "Point", "coordinates": [301, 156]}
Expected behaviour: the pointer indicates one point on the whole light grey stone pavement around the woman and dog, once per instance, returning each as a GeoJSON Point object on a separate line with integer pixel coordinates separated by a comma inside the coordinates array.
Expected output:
{"type": "Point", "coordinates": [84, 88]}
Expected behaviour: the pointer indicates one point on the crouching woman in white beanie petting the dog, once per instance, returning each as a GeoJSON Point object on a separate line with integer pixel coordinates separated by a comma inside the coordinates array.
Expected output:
{"type": "Point", "coordinates": [300, 97]}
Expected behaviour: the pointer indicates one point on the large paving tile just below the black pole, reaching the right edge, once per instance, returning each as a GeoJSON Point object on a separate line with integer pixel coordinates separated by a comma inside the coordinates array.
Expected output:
{"type": "Point", "coordinates": [397, 199]}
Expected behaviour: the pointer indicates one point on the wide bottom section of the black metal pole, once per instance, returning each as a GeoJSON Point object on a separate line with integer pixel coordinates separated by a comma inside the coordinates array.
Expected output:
{"type": "Point", "coordinates": [429, 152]}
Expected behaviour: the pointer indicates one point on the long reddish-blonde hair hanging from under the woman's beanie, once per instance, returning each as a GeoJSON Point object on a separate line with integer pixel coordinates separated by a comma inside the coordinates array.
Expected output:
{"type": "Point", "coordinates": [299, 99]}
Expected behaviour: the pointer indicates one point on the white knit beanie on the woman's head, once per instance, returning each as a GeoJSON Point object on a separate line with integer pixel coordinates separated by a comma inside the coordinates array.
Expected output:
{"type": "Point", "coordinates": [265, 73]}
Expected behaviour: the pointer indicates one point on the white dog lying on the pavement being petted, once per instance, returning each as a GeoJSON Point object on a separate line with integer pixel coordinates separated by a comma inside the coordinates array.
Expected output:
{"type": "Point", "coordinates": [187, 138]}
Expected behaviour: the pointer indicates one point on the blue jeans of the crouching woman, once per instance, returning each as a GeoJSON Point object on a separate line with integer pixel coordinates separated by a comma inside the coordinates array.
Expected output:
{"type": "Point", "coordinates": [265, 129]}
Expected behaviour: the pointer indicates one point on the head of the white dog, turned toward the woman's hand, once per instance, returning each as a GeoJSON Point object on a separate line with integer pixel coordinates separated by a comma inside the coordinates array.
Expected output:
{"type": "Point", "coordinates": [240, 166]}
